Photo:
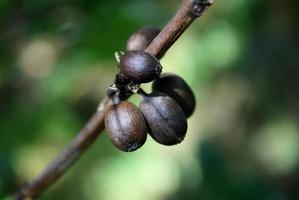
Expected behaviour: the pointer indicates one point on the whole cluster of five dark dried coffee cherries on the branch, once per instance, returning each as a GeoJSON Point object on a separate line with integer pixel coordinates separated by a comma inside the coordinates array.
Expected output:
{"type": "Point", "coordinates": [162, 113]}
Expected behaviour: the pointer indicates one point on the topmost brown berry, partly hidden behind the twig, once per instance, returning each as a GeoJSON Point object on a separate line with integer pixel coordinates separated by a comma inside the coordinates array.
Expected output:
{"type": "Point", "coordinates": [142, 38]}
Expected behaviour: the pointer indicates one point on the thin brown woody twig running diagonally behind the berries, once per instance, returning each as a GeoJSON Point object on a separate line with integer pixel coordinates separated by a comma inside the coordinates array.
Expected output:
{"type": "Point", "coordinates": [188, 11]}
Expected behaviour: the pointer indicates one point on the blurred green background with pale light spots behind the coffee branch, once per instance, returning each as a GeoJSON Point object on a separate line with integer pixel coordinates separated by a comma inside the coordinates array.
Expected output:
{"type": "Point", "coordinates": [241, 58]}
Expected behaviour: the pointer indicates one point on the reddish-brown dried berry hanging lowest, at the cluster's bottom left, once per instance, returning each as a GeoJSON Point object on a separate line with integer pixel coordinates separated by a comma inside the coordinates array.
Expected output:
{"type": "Point", "coordinates": [125, 126]}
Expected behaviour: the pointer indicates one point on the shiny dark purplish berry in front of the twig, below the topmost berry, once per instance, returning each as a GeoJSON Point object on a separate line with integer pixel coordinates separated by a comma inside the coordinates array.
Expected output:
{"type": "Point", "coordinates": [139, 66]}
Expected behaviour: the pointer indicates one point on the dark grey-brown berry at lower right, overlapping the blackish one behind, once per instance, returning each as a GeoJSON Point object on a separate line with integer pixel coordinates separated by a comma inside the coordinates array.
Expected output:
{"type": "Point", "coordinates": [166, 121]}
